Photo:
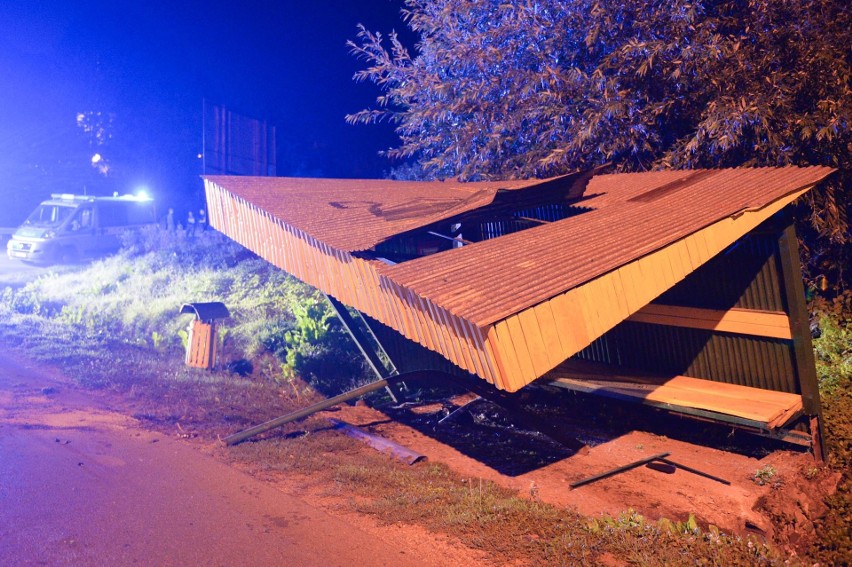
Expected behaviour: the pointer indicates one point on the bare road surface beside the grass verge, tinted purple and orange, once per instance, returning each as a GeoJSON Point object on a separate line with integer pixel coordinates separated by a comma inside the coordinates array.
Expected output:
{"type": "Point", "coordinates": [82, 485]}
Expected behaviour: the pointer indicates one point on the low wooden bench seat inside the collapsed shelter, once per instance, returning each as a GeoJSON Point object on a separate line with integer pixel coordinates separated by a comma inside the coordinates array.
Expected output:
{"type": "Point", "coordinates": [763, 409]}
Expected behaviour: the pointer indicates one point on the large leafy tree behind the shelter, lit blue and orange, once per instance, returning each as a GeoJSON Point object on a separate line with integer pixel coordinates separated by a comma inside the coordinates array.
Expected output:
{"type": "Point", "coordinates": [498, 89]}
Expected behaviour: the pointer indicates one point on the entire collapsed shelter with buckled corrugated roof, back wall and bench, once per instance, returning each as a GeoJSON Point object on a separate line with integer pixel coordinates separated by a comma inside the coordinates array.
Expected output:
{"type": "Point", "coordinates": [679, 289]}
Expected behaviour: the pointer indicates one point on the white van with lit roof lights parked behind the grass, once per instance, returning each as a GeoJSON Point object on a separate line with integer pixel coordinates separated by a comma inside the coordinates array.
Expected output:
{"type": "Point", "coordinates": [68, 227]}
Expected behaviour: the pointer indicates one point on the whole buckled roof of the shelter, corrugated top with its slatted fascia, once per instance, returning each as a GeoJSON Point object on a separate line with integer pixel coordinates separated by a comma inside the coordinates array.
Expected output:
{"type": "Point", "coordinates": [511, 308]}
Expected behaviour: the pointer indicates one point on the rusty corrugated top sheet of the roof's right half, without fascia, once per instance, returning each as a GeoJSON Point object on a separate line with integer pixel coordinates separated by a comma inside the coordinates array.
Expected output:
{"type": "Point", "coordinates": [489, 280]}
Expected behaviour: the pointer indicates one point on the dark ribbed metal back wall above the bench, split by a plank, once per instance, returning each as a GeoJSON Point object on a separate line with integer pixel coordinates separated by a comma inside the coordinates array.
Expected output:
{"type": "Point", "coordinates": [745, 276]}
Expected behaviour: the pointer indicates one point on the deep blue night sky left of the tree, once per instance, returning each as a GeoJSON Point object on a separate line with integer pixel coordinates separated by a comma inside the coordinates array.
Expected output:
{"type": "Point", "coordinates": [149, 65]}
